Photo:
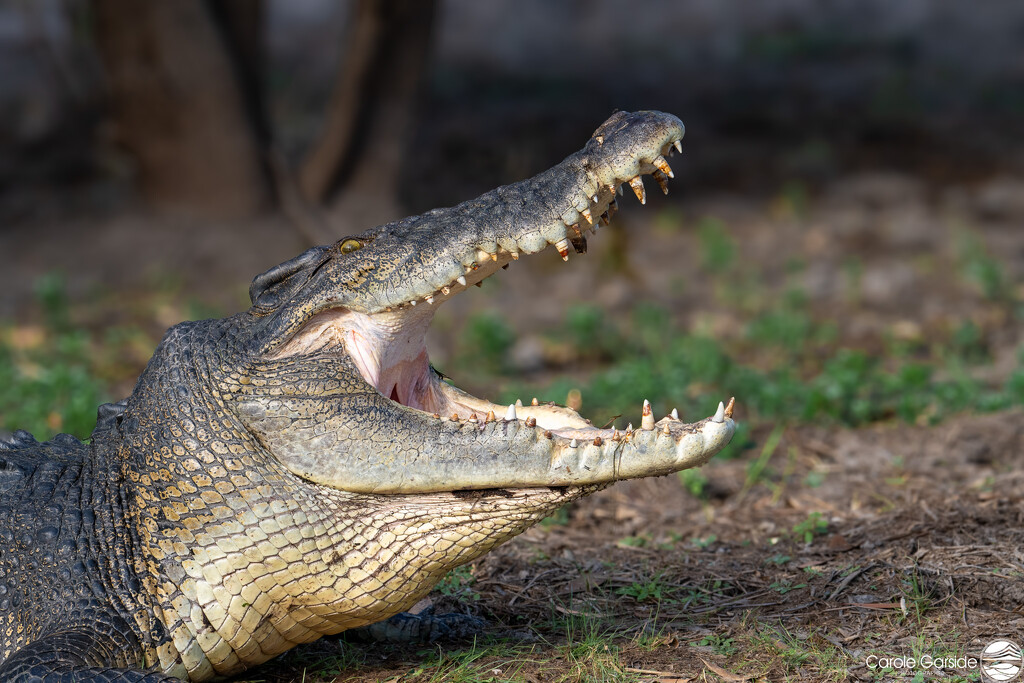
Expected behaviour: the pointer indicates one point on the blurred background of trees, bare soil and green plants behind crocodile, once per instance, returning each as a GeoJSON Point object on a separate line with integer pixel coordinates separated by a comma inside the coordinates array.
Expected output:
{"type": "Point", "coordinates": [843, 240]}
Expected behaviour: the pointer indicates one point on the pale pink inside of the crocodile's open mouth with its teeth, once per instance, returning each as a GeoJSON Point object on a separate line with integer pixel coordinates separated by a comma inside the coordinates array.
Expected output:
{"type": "Point", "coordinates": [389, 347]}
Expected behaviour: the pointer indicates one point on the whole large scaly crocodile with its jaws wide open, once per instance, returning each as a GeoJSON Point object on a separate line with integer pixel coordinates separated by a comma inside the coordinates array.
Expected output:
{"type": "Point", "coordinates": [301, 468]}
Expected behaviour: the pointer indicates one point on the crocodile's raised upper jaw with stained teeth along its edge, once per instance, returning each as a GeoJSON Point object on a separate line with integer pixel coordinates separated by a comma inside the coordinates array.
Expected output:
{"type": "Point", "coordinates": [425, 260]}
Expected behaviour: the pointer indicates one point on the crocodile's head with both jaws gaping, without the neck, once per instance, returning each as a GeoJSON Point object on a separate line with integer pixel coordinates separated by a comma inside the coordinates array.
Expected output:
{"type": "Point", "coordinates": [358, 406]}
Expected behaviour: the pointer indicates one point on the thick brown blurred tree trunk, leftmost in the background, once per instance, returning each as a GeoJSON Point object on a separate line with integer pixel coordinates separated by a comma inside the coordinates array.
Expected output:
{"type": "Point", "coordinates": [181, 103]}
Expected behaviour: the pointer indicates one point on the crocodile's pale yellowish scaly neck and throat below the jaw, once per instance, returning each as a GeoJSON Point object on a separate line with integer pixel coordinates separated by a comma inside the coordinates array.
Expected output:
{"type": "Point", "coordinates": [245, 560]}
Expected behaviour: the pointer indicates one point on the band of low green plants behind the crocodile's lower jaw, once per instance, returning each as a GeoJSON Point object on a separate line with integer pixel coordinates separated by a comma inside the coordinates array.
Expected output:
{"type": "Point", "coordinates": [804, 375]}
